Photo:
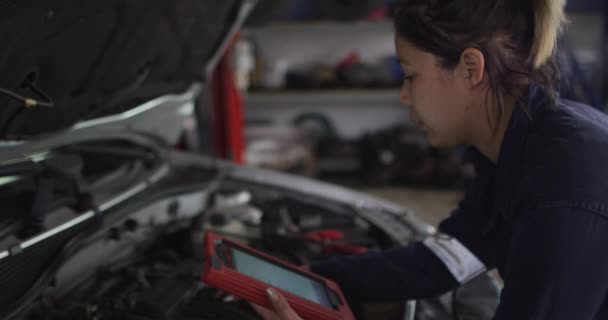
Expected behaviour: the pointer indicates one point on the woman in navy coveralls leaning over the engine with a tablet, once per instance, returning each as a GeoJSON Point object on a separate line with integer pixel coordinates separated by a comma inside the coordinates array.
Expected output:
{"type": "Point", "coordinates": [482, 73]}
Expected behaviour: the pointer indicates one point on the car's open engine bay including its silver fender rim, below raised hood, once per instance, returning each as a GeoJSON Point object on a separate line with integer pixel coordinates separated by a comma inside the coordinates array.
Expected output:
{"type": "Point", "coordinates": [138, 252]}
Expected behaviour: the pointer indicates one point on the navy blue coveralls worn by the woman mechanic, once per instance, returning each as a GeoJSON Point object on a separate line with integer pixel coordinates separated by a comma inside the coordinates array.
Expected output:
{"type": "Point", "coordinates": [539, 215]}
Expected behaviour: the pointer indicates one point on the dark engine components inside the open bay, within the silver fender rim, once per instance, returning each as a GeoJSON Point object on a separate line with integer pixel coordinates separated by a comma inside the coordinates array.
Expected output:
{"type": "Point", "coordinates": [162, 279]}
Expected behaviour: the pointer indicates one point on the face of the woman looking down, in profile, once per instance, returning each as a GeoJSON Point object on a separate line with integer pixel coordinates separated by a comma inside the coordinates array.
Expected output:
{"type": "Point", "coordinates": [439, 99]}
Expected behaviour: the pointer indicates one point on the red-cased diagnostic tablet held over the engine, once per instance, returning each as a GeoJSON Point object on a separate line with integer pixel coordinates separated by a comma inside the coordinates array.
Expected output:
{"type": "Point", "coordinates": [247, 273]}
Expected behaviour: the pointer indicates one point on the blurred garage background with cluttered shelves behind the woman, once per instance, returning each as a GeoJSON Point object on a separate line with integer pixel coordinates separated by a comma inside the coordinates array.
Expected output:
{"type": "Point", "coordinates": [326, 80]}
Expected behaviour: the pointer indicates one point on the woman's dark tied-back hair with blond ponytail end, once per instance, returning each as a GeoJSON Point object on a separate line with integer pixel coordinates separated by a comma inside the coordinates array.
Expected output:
{"type": "Point", "coordinates": [517, 38]}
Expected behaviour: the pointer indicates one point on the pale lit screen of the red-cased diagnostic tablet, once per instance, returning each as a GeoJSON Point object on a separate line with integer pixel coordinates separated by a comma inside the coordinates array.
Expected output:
{"type": "Point", "coordinates": [280, 277]}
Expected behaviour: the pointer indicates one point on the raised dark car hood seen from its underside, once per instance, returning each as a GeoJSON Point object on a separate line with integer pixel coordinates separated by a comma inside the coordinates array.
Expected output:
{"type": "Point", "coordinates": [94, 59]}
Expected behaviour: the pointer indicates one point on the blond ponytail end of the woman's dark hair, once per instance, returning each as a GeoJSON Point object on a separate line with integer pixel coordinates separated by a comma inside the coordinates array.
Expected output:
{"type": "Point", "coordinates": [549, 20]}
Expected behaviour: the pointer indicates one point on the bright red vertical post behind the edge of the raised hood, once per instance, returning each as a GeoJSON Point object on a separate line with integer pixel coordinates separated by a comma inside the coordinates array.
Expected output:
{"type": "Point", "coordinates": [228, 132]}
